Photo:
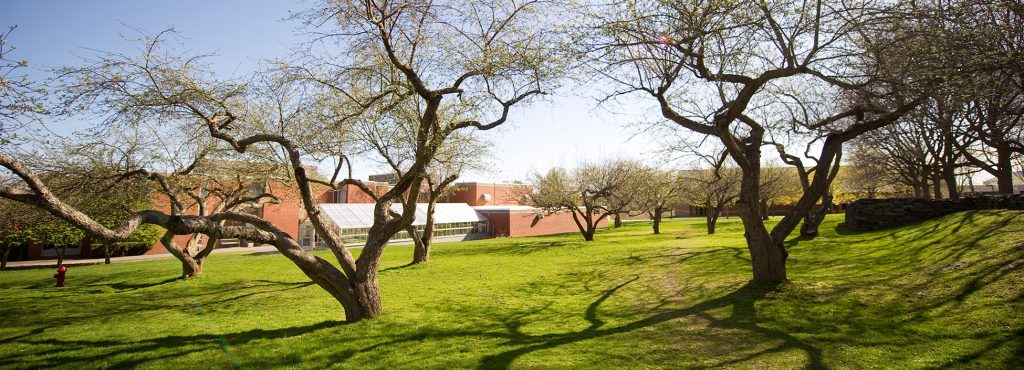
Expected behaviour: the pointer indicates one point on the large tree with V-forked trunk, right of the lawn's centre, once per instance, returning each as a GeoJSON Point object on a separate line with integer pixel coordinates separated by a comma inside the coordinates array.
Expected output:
{"type": "Point", "coordinates": [713, 67]}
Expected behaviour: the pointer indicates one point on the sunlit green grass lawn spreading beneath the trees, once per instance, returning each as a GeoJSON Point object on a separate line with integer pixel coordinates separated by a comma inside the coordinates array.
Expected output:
{"type": "Point", "coordinates": [937, 295]}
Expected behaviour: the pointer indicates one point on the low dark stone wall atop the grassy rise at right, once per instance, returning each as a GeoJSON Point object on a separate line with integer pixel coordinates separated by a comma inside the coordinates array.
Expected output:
{"type": "Point", "coordinates": [868, 215]}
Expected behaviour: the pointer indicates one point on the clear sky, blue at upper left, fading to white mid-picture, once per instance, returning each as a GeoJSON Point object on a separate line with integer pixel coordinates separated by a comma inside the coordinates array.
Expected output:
{"type": "Point", "coordinates": [562, 132]}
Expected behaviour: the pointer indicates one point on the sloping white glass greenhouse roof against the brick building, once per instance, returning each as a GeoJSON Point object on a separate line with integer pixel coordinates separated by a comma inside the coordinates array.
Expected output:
{"type": "Point", "coordinates": [354, 216]}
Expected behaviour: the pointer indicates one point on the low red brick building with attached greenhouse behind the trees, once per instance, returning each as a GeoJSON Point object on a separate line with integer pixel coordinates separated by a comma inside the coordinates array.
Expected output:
{"type": "Point", "coordinates": [471, 211]}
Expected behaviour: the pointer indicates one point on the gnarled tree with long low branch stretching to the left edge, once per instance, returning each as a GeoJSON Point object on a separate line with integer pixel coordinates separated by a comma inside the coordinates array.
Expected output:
{"type": "Point", "coordinates": [492, 56]}
